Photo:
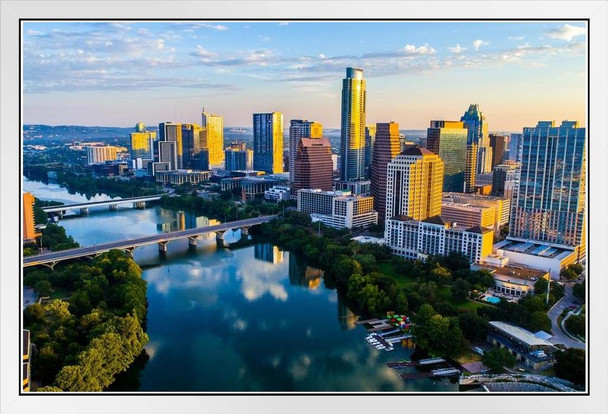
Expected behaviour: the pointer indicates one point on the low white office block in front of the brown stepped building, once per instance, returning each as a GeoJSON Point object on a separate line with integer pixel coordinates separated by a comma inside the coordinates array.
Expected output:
{"type": "Point", "coordinates": [338, 209]}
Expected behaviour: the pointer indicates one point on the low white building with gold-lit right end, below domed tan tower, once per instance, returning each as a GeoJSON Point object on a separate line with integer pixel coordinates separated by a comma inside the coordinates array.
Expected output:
{"type": "Point", "coordinates": [416, 240]}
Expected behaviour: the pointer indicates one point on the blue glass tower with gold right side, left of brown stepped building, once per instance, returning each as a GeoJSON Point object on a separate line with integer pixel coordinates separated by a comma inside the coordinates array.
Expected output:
{"type": "Point", "coordinates": [268, 142]}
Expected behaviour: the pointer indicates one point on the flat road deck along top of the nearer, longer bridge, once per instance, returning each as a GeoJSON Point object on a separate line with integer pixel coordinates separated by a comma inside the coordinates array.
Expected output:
{"type": "Point", "coordinates": [140, 241]}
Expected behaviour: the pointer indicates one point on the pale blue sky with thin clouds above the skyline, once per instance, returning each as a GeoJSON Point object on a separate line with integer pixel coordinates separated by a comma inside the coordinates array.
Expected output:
{"type": "Point", "coordinates": [119, 73]}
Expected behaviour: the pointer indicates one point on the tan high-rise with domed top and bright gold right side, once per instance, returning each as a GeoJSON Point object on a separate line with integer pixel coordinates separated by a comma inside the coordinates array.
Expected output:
{"type": "Point", "coordinates": [413, 184]}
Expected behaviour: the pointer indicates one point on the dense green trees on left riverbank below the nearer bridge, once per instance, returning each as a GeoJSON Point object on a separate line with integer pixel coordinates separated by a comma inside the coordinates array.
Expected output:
{"type": "Point", "coordinates": [84, 341]}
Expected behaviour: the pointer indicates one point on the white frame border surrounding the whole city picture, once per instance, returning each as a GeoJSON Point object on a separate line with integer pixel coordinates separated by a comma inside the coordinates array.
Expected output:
{"type": "Point", "coordinates": [11, 11]}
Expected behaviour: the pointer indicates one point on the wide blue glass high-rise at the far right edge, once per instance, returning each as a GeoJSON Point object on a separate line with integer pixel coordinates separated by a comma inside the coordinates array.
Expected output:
{"type": "Point", "coordinates": [550, 203]}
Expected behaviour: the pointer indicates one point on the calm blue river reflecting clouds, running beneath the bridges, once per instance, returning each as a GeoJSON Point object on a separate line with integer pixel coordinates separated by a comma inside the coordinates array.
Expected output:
{"type": "Point", "coordinates": [248, 319]}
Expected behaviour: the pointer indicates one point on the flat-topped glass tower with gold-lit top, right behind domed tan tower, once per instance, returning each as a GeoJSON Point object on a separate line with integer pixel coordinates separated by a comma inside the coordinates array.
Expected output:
{"type": "Point", "coordinates": [448, 139]}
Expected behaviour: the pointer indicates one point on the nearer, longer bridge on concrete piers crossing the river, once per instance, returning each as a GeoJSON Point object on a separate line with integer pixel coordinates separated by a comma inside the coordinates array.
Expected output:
{"type": "Point", "coordinates": [162, 239]}
